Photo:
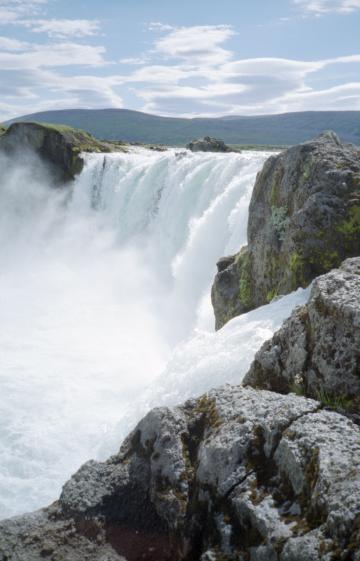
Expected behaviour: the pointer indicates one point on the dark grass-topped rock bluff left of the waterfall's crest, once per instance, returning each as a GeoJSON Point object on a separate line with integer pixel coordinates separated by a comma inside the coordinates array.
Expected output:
{"type": "Point", "coordinates": [59, 146]}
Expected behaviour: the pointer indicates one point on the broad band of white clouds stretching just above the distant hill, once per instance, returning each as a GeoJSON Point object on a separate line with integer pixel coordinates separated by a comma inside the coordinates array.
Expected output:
{"type": "Point", "coordinates": [187, 71]}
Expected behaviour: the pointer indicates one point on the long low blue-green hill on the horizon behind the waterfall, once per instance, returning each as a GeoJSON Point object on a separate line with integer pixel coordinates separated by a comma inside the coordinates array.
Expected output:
{"type": "Point", "coordinates": [134, 126]}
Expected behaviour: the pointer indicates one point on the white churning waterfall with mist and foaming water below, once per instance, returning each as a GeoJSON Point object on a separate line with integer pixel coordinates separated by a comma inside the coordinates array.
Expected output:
{"type": "Point", "coordinates": [105, 307]}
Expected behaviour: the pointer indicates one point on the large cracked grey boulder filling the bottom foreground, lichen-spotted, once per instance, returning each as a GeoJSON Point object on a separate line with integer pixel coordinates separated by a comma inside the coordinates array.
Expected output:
{"type": "Point", "coordinates": [238, 474]}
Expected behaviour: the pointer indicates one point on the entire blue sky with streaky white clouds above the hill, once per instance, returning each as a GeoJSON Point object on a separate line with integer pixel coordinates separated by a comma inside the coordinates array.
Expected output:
{"type": "Point", "coordinates": [187, 58]}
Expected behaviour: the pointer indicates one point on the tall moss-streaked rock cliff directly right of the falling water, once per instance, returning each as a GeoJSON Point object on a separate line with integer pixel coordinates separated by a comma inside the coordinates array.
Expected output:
{"type": "Point", "coordinates": [304, 219]}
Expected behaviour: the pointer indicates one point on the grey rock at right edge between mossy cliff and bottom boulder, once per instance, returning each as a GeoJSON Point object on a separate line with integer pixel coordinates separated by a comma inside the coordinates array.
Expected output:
{"type": "Point", "coordinates": [317, 350]}
